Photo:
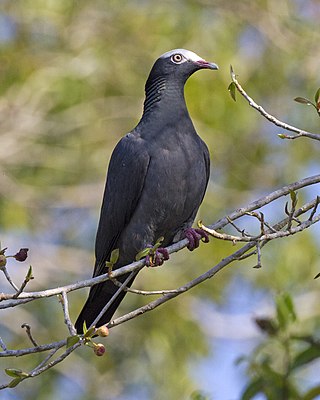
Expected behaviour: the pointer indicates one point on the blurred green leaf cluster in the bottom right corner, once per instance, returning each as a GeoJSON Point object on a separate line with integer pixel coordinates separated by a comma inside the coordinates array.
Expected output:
{"type": "Point", "coordinates": [274, 363]}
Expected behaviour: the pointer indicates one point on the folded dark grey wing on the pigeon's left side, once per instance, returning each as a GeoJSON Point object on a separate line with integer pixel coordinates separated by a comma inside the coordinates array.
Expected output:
{"type": "Point", "coordinates": [125, 180]}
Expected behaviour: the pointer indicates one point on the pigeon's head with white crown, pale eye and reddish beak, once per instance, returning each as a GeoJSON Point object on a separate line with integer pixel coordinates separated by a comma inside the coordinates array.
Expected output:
{"type": "Point", "coordinates": [179, 64]}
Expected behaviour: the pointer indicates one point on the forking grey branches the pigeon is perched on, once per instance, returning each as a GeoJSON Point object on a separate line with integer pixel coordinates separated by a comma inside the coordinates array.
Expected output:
{"type": "Point", "coordinates": [267, 234]}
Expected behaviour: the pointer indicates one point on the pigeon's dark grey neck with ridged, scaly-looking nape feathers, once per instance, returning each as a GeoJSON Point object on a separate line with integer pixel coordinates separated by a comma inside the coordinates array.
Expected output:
{"type": "Point", "coordinates": [164, 97]}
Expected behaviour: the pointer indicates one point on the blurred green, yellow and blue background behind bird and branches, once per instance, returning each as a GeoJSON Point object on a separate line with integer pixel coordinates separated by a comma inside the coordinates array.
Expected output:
{"type": "Point", "coordinates": [72, 75]}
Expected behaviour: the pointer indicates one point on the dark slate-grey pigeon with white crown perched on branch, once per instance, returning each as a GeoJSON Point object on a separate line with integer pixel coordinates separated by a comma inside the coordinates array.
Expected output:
{"type": "Point", "coordinates": [156, 180]}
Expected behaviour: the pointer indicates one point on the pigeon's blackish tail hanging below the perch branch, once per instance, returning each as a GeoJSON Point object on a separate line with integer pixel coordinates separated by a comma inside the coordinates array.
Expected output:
{"type": "Point", "coordinates": [98, 297]}
